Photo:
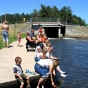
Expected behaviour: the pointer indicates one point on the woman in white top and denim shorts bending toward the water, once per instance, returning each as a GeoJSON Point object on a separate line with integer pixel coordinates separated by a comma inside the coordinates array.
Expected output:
{"type": "Point", "coordinates": [44, 67]}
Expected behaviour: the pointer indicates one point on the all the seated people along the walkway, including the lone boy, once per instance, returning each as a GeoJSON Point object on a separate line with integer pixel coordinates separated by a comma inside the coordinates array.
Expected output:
{"type": "Point", "coordinates": [46, 64]}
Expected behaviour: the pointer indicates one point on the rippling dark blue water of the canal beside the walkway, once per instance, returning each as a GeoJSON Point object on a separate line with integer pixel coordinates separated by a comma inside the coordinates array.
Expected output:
{"type": "Point", "coordinates": [73, 55]}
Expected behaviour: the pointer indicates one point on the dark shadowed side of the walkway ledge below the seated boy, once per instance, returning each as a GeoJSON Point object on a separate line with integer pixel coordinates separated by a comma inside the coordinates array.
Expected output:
{"type": "Point", "coordinates": [16, 84]}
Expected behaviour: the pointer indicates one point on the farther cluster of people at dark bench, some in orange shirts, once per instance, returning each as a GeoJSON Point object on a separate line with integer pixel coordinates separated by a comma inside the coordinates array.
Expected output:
{"type": "Point", "coordinates": [33, 40]}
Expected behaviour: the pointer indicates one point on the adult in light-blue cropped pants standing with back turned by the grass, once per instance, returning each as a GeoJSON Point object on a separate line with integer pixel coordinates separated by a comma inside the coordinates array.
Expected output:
{"type": "Point", "coordinates": [5, 33]}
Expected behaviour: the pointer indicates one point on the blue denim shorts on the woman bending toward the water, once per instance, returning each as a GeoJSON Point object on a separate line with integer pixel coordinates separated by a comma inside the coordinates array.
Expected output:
{"type": "Point", "coordinates": [43, 71]}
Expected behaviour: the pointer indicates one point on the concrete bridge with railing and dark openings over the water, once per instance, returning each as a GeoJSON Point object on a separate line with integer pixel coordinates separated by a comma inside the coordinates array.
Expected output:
{"type": "Point", "coordinates": [53, 29]}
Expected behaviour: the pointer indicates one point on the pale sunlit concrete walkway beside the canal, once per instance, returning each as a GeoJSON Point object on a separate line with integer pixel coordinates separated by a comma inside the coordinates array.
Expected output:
{"type": "Point", "coordinates": [7, 60]}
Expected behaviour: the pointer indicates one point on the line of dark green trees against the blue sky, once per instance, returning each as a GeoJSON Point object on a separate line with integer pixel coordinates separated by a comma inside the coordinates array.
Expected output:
{"type": "Point", "coordinates": [64, 15]}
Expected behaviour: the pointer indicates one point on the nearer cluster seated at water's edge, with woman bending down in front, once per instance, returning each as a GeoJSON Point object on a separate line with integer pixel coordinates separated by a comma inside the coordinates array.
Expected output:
{"type": "Point", "coordinates": [46, 64]}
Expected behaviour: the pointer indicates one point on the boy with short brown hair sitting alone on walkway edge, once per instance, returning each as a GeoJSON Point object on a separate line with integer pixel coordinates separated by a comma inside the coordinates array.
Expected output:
{"type": "Point", "coordinates": [18, 72]}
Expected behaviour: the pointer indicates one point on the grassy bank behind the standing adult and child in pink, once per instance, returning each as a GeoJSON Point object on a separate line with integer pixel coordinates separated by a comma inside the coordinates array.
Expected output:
{"type": "Point", "coordinates": [13, 33]}
